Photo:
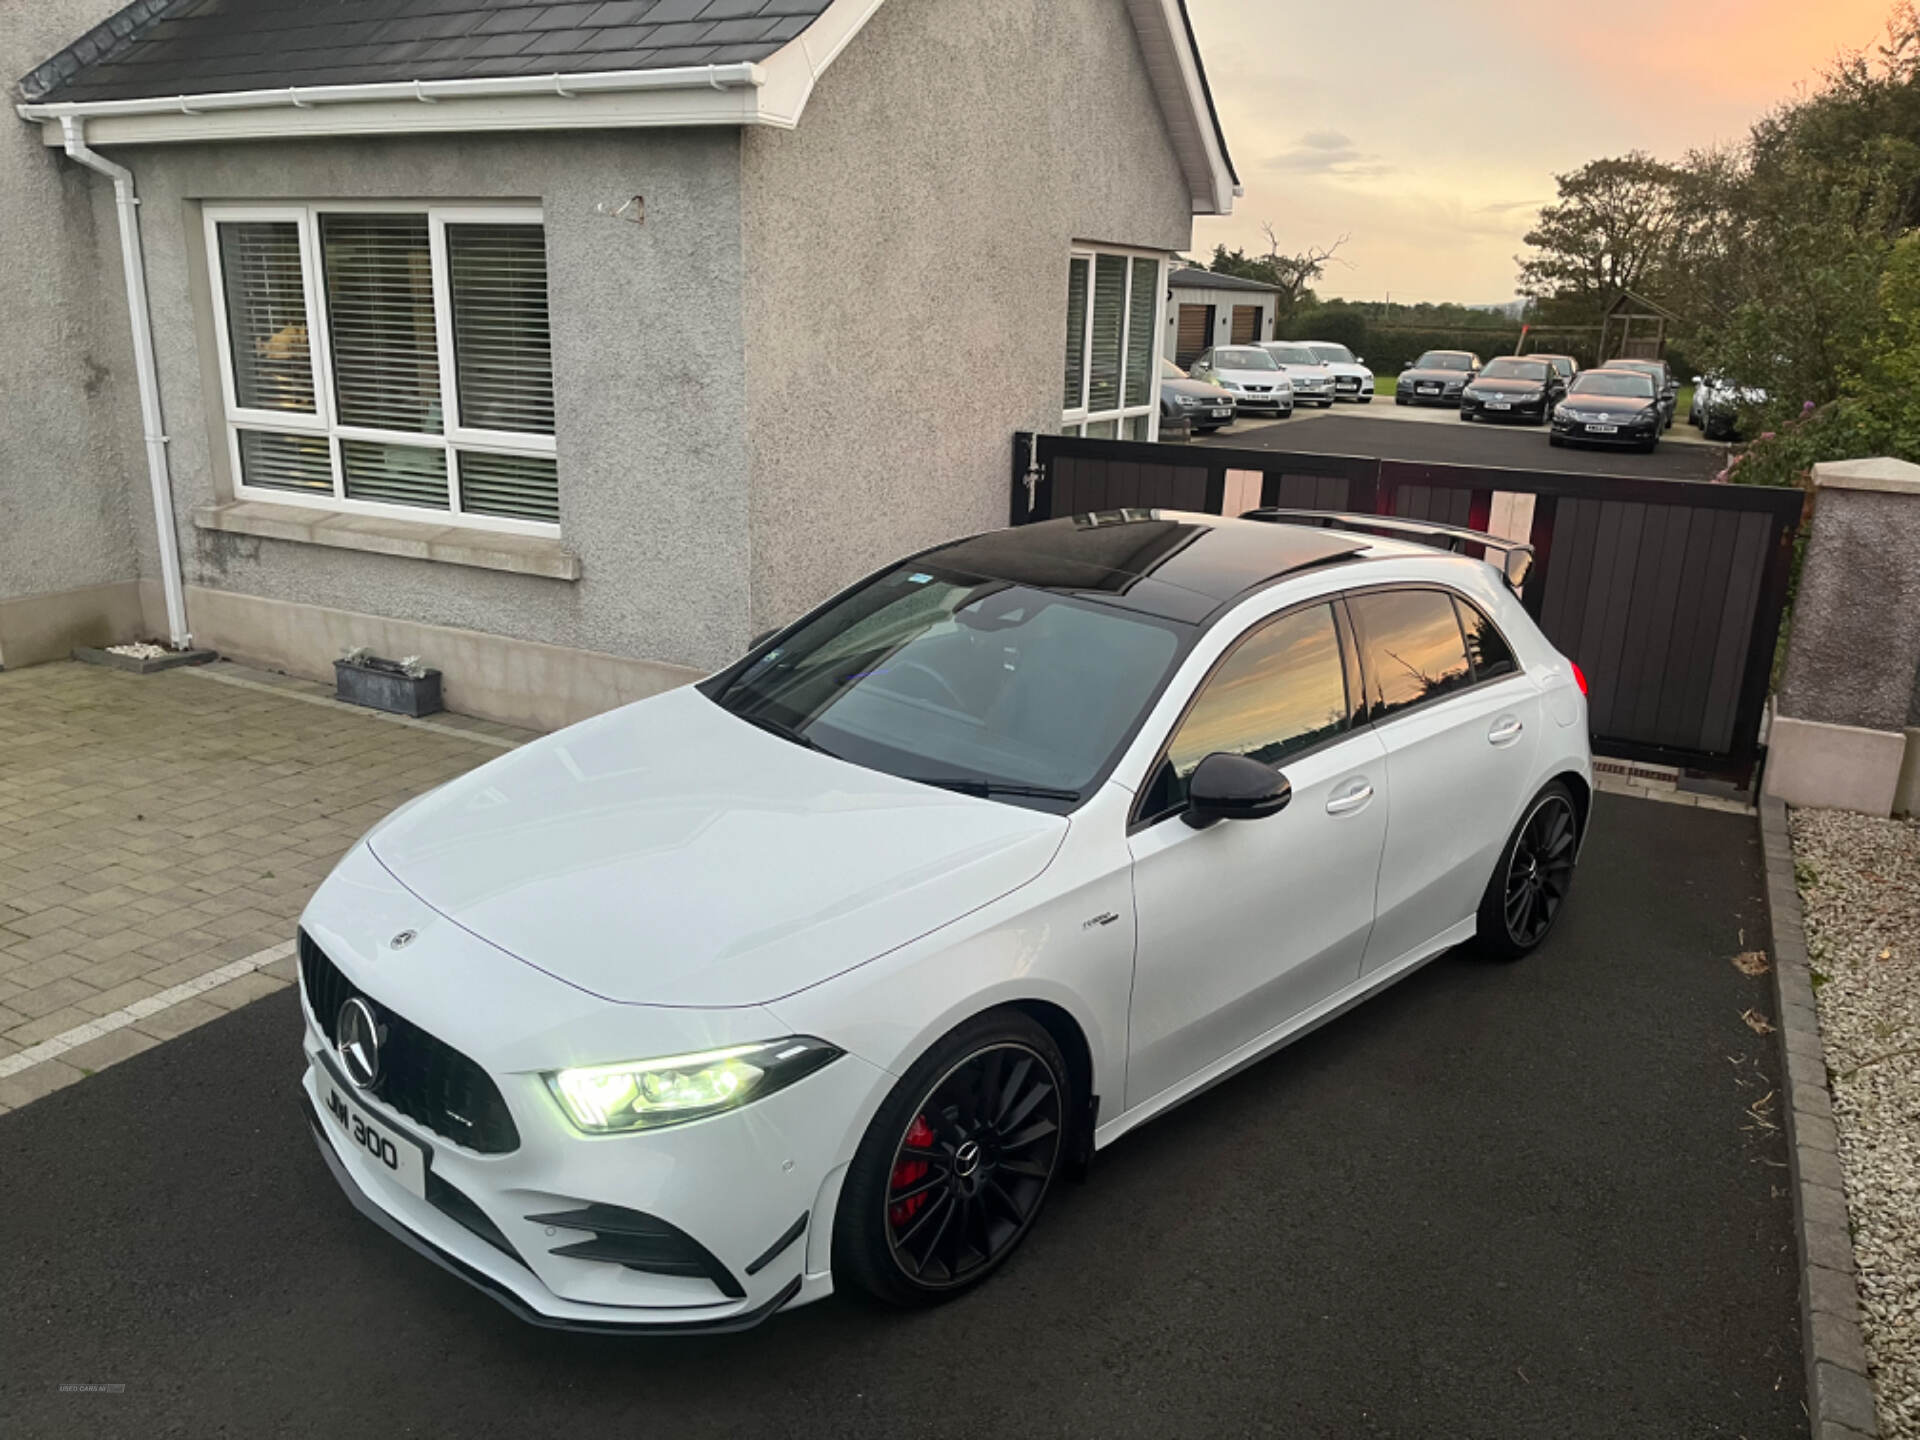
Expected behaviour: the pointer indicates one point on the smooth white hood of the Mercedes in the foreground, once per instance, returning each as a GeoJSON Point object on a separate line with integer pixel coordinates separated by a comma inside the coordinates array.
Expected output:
{"type": "Point", "coordinates": [669, 853]}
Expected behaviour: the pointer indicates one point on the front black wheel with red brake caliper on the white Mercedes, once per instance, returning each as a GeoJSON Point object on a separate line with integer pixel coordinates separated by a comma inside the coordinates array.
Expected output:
{"type": "Point", "coordinates": [907, 1255]}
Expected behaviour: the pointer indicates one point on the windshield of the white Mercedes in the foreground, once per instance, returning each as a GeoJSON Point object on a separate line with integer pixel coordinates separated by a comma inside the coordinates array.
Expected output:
{"type": "Point", "coordinates": [978, 684]}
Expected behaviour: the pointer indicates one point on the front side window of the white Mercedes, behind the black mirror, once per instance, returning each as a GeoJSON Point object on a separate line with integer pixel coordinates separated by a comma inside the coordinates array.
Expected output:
{"type": "Point", "coordinates": [1280, 692]}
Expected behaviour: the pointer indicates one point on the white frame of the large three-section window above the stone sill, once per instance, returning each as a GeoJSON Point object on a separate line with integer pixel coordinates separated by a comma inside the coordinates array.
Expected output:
{"type": "Point", "coordinates": [324, 421]}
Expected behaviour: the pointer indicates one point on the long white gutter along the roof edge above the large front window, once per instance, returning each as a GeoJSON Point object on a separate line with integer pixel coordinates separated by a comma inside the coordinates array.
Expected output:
{"type": "Point", "coordinates": [304, 97]}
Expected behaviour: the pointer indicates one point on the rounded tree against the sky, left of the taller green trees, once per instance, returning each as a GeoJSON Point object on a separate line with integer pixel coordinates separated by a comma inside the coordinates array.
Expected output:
{"type": "Point", "coordinates": [1610, 231]}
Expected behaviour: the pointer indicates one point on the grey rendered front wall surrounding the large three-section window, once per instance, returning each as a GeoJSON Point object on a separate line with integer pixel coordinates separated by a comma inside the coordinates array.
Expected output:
{"type": "Point", "coordinates": [648, 385]}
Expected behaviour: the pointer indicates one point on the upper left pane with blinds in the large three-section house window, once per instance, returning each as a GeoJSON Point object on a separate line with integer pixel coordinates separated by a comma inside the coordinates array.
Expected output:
{"type": "Point", "coordinates": [268, 316]}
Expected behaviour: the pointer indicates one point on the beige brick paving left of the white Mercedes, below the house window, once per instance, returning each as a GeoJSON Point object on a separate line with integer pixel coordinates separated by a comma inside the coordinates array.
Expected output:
{"type": "Point", "coordinates": [158, 828]}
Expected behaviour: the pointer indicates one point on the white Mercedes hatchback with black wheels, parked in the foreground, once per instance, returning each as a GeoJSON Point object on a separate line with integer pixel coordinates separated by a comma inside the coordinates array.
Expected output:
{"type": "Point", "coordinates": [825, 971]}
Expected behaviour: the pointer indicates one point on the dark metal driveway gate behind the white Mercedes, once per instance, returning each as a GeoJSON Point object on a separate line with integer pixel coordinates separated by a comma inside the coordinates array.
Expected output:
{"type": "Point", "coordinates": [1669, 594]}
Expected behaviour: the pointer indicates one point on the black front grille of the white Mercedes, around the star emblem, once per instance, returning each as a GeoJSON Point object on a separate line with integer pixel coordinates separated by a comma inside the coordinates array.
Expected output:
{"type": "Point", "coordinates": [423, 1078]}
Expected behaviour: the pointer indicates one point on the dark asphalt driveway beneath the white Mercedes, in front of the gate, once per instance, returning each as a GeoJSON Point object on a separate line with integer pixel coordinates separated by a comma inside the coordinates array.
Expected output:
{"type": "Point", "coordinates": [1537, 1201]}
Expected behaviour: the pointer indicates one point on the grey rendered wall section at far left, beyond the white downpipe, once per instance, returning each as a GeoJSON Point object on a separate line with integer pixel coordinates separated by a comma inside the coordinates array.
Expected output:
{"type": "Point", "coordinates": [68, 448]}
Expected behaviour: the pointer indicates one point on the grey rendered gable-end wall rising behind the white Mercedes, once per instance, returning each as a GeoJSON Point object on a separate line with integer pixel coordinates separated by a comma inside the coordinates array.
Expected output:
{"type": "Point", "coordinates": [905, 272]}
